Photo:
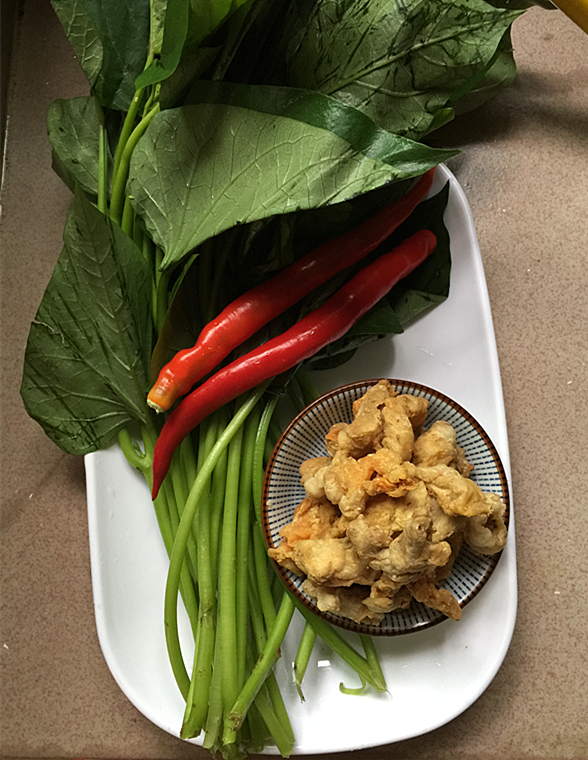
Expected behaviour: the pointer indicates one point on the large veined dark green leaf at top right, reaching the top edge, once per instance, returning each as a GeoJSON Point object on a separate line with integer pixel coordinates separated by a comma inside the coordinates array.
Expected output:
{"type": "Point", "coordinates": [398, 62]}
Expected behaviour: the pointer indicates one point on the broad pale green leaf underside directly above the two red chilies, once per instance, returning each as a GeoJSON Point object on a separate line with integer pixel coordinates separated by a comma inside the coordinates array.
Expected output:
{"type": "Point", "coordinates": [204, 168]}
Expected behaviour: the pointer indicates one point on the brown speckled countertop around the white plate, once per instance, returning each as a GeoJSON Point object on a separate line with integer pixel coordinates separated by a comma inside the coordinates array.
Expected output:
{"type": "Point", "coordinates": [523, 168]}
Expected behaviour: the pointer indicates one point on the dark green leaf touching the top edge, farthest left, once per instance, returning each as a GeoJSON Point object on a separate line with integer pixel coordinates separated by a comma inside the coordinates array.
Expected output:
{"type": "Point", "coordinates": [111, 39]}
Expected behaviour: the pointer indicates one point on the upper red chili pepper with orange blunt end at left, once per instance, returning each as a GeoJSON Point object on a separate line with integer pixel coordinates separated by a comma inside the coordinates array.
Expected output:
{"type": "Point", "coordinates": [250, 312]}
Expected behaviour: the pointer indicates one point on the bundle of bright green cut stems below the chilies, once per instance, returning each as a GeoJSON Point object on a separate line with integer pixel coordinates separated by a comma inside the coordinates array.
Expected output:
{"type": "Point", "coordinates": [209, 511]}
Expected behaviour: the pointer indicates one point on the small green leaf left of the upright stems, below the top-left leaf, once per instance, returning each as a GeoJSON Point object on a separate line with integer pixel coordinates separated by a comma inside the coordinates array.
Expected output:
{"type": "Point", "coordinates": [73, 127]}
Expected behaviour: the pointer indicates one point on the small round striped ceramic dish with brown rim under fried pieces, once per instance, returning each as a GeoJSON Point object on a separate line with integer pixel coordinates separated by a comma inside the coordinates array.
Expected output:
{"type": "Point", "coordinates": [304, 439]}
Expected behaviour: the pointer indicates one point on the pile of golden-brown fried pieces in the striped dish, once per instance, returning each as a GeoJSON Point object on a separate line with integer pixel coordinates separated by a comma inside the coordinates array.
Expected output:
{"type": "Point", "coordinates": [386, 513]}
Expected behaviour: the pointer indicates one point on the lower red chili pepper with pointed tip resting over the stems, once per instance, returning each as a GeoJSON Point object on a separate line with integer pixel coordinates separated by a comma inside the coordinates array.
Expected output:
{"type": "Point", "coordinates": [304, 339]}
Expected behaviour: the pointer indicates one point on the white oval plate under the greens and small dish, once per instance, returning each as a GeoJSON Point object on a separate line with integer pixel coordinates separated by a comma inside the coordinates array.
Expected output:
{"type": "Point", "coordinates": [433, 675]}
